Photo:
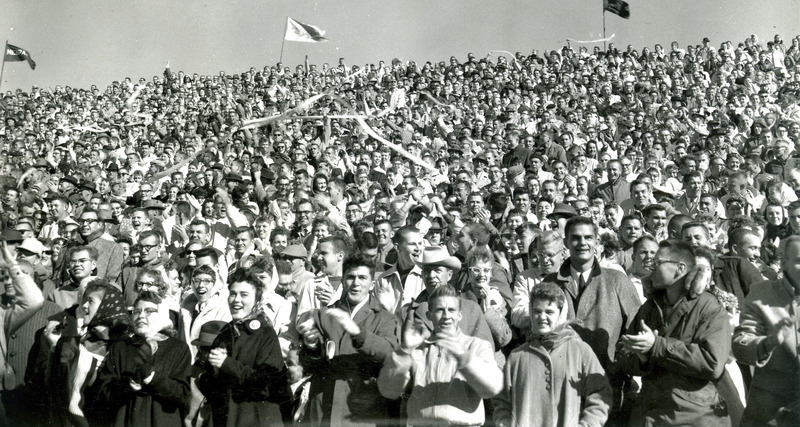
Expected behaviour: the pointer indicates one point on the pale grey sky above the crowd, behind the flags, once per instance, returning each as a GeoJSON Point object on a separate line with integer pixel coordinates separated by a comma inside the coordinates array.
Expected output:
{"type": "Point", "coordinates": [83, 42]}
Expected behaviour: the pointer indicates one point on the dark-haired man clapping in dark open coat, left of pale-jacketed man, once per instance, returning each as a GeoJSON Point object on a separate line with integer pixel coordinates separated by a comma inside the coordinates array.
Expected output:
{"type": "Point", "coordinates": [344, 346]}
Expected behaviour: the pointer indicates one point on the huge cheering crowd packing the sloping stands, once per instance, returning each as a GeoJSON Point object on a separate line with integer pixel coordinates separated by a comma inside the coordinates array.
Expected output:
{"type": "Point", "coordinates": [572, 237]}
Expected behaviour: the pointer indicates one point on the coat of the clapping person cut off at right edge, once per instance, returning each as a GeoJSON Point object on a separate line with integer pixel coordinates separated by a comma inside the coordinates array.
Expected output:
{"type": "Point", "coordinates": [776, 381]}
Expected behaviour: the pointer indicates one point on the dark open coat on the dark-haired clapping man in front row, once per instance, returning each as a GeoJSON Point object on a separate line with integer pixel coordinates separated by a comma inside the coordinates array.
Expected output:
{"type": "Point", "coordinates": [344, 388]}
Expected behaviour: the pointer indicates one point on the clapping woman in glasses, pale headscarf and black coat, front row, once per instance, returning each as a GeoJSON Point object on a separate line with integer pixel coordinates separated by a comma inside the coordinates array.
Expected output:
{"type": "Point", "coordinates": [145, 378]}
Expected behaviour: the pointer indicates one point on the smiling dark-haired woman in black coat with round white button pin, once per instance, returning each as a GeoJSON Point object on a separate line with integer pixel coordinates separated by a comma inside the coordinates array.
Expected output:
{"type": "Point", "coordinates": [245, 378]}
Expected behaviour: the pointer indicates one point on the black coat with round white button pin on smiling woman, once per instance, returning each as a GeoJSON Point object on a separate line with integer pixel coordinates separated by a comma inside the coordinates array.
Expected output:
{"type": "Point", "coordinates": [252, 381]}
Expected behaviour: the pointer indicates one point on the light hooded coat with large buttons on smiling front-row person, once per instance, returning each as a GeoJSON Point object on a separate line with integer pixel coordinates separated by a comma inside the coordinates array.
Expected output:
{"type": "Point", "coordinates": [553, 384]}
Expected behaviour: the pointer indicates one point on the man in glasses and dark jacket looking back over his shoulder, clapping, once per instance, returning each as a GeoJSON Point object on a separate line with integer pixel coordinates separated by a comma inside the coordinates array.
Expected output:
{"type": "Point", "coordinates": [679, 345]}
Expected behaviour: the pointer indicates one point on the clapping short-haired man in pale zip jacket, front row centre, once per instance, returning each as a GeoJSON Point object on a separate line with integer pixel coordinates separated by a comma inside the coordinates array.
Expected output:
{"type": "Point", "coordinates": [448, 375]}
